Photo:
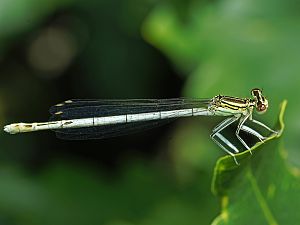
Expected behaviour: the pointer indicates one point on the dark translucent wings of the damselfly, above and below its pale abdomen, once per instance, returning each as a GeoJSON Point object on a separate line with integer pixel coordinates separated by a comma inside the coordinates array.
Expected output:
{"type": "Point", "coordinates": [75, 109]}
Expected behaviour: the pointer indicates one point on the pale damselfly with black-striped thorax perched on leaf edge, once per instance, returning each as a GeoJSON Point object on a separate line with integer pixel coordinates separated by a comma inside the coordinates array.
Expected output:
{"type": "Point", "coordinates": [96, 119]}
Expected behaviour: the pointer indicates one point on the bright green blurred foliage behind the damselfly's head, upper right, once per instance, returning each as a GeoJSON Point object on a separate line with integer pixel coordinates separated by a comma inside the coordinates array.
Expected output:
{"type": "Point", "coordinates": [228, 44]}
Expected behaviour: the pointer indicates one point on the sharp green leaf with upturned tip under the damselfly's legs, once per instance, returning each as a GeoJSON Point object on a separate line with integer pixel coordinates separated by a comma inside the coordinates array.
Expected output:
{"type": "Point", "coordinates": [263, 189]}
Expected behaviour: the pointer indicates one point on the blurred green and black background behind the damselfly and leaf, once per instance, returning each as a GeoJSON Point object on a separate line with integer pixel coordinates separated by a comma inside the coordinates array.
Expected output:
{"type": "Point", "coordinates": [51, 51]}
